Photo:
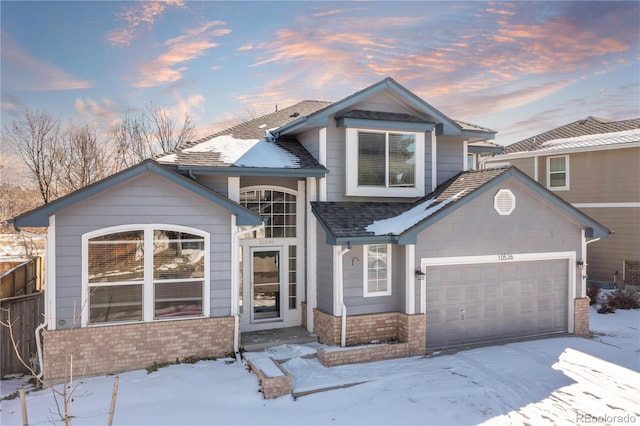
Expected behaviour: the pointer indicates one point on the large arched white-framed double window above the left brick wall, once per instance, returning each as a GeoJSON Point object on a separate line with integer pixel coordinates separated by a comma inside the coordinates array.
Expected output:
{"type": "Point", "coordinates": [145, 273]}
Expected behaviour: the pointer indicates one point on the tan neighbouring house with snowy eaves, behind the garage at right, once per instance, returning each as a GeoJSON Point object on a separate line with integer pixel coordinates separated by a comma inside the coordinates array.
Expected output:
{"type": "Point", "coordinates": [593, 164]}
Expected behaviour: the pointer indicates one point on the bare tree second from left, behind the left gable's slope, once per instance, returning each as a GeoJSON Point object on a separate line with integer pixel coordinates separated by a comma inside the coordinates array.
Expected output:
{"type": "Point", "coordinates": [83, 159]}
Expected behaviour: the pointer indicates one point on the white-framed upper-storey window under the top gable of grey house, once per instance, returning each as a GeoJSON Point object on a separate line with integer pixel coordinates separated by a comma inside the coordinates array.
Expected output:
{"type": "Point", "coordinates": [385, 163]}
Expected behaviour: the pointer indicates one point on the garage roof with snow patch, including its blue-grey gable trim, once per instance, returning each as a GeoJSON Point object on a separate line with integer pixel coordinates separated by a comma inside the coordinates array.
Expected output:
{"type": "Point", "coordinates": [364, 223]}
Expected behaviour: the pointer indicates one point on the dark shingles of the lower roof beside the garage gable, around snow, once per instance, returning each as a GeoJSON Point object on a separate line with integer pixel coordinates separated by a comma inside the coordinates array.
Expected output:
{"type": "Point", "coordinates": [351, 219]}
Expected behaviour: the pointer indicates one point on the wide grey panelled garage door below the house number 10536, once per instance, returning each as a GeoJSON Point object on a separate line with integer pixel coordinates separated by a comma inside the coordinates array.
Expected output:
{"type": "Point", "coordinates": [493, 301]}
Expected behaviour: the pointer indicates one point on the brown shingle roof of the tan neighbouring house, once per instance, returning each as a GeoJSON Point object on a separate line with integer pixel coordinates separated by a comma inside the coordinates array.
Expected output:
{"type": "Point", "coordinates": [589, 126]}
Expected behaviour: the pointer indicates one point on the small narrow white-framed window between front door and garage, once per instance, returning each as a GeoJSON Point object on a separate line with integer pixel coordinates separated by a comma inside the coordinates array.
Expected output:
{"type": "Point", "coordinates": [377, 270]}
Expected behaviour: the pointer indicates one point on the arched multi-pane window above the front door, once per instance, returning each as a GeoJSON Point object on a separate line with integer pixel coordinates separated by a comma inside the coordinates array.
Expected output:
{"type": "Point", "coordinates": [276, 207]}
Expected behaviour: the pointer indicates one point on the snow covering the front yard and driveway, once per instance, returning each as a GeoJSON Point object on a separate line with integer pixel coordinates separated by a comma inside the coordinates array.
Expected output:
{"type": "Point", "coordinates": [559, 380]}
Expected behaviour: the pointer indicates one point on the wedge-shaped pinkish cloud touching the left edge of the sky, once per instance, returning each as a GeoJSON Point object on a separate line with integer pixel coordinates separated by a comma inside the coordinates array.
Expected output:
{"type": "Point", "coordinates": [21, 71]}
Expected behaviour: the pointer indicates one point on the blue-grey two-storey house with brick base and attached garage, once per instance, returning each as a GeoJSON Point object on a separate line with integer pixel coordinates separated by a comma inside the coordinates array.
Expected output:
{"type": "Point", "coordinates": [356, 219]}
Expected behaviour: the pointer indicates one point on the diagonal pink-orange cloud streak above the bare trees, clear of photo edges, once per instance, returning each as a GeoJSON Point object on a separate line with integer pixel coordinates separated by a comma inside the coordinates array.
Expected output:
{"type": "Point", "coordinates": [169, 66]}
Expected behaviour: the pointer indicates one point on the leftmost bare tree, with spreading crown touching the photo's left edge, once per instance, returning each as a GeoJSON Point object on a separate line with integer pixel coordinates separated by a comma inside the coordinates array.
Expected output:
{"type": "Point", "coordinates": [36, 138]}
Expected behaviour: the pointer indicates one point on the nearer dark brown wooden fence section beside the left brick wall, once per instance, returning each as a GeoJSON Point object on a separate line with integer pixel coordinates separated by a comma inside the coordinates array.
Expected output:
{"type": "Point", "coordinates": [26, 313]}
